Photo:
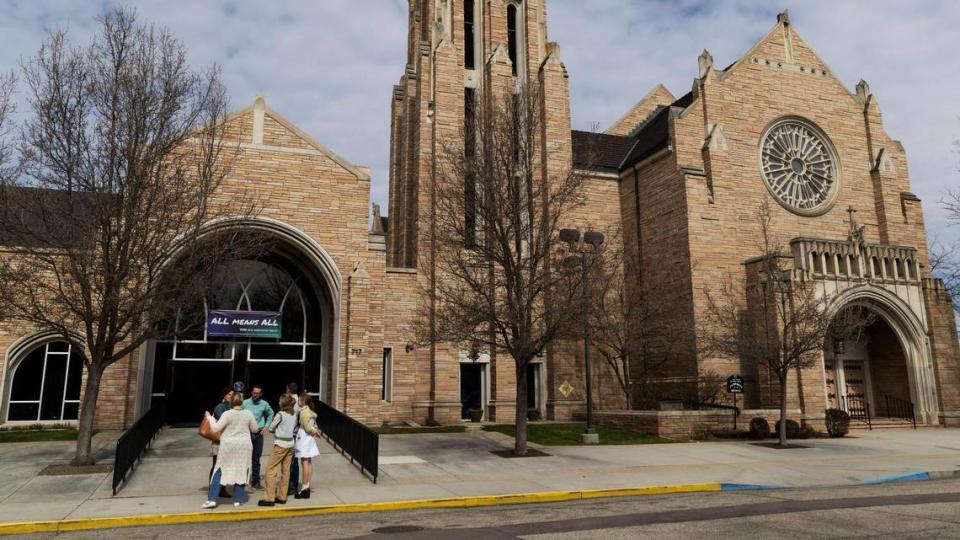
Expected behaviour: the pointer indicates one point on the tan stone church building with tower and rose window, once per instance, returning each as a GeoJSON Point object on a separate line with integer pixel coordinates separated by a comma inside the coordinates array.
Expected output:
{"type": "Point", "coordinates": [680, 177]}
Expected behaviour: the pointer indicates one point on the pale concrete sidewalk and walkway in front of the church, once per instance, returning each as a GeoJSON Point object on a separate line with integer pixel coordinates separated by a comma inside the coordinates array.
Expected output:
{"type": "Point", "coordinates": [172, 478]}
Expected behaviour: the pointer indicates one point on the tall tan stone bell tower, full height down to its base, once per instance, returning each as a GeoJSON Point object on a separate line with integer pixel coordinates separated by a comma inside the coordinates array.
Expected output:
{"type": "Point", "coordinates": [460, 53]}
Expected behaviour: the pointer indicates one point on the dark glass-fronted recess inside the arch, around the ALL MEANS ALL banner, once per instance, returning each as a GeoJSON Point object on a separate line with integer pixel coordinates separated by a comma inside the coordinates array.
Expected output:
{"type": "Point", "coordinates": [190, 371]}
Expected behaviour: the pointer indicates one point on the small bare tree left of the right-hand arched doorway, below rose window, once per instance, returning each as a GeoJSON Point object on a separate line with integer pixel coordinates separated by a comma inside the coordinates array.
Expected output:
{"type": "Point", "coordinates": [777, 319]}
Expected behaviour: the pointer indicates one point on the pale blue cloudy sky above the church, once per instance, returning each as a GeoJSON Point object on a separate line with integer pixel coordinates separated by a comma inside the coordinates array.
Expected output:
{"type": "Point", "coordinates": [329, 65]}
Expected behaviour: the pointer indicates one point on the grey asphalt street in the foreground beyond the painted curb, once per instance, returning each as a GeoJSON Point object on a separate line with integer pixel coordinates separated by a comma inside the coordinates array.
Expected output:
{"type": "Point", "coordinates": [926, 509]}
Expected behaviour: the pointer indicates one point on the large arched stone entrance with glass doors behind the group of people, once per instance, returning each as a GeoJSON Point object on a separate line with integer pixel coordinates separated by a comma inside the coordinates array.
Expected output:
{"type": "Point", "coordinates": [296, 280]}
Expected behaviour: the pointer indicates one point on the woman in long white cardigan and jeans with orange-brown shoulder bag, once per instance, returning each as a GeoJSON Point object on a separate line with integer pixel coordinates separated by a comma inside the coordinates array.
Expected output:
{"type": "Point", "coordinates": [233, 458]}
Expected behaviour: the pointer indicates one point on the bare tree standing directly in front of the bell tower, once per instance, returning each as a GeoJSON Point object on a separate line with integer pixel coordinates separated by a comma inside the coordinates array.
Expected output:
{"type": "Point", "coordinates": [498, 283]}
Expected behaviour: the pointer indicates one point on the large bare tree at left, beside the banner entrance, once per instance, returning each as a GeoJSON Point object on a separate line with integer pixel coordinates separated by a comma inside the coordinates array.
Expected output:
{"type": "Point", "coordinates": [123, 152]}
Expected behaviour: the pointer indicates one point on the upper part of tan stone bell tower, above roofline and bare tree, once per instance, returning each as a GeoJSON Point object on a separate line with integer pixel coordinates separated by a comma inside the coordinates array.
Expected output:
{"type": "Point", "coordinates": [458, 53]}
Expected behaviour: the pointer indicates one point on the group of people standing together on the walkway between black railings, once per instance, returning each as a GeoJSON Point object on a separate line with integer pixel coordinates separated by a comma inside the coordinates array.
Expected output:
{"type": "Point", "coordinates": [242, 424]}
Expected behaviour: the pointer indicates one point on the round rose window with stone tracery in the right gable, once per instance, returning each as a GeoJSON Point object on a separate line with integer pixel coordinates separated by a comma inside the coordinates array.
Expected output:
{"type": "Point", "coordinates": [799, 166]}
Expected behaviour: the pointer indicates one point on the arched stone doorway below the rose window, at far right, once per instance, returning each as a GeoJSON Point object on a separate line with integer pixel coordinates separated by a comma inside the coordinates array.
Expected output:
{"type": "Point", "coordinates": [887, 366]}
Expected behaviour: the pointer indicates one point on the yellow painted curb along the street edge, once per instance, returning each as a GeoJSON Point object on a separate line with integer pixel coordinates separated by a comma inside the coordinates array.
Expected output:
{"type": "Point", "coordinates": [85, 524]}
